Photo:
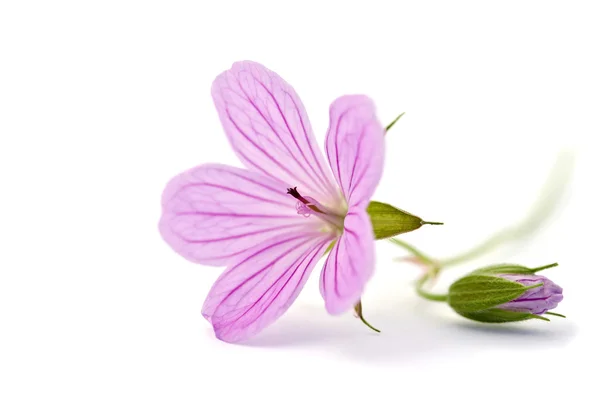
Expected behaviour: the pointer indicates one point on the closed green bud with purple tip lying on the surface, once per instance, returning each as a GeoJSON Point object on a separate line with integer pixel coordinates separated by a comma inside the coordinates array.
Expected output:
{"type": "Point", "coordinates": [505, 293]}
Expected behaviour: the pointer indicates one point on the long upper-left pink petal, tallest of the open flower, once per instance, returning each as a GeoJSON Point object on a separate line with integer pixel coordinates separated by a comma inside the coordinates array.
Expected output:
{"type": "Point", "coordinates": [269, 130]}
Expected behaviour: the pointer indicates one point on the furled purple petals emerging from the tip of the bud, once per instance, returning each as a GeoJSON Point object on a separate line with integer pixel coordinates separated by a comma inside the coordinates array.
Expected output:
{"type": "Point", "coordinates": [536, 300]}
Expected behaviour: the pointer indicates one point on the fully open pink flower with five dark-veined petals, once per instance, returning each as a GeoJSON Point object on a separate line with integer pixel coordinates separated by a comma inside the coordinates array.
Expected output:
{"type": "Point", "coordinates": [270, 223]}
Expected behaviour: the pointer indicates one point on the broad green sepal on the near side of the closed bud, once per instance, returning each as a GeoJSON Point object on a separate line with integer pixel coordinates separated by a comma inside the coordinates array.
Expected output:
{"type": "Point", "coordinates": [477, 292]}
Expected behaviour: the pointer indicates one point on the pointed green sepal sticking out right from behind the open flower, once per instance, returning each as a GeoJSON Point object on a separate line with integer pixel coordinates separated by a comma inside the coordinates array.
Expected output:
{"type": "Point", "coordinates": [389, 221]}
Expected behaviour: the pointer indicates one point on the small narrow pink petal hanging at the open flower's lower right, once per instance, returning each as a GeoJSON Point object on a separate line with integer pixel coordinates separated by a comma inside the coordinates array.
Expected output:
{"type": "Point", "coordinates": [350, 263]}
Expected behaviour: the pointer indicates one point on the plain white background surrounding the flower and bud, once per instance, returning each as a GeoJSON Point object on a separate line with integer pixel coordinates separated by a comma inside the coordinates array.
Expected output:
{"type": "Point", "coordinates": [102, 102]}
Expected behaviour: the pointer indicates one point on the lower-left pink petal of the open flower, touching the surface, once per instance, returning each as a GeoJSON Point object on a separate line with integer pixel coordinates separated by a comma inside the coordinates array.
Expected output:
{"type": "Point", "coordinates": [252, 294]}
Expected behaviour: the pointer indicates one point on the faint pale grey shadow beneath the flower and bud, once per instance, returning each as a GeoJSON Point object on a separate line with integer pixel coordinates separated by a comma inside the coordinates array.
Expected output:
{"type": "Point", "coordinates": [415, 330]}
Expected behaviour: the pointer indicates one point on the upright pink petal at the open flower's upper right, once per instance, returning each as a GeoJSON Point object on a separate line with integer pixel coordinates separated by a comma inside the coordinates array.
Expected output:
{"type": "Point", "coordinates": [355, 147]}
